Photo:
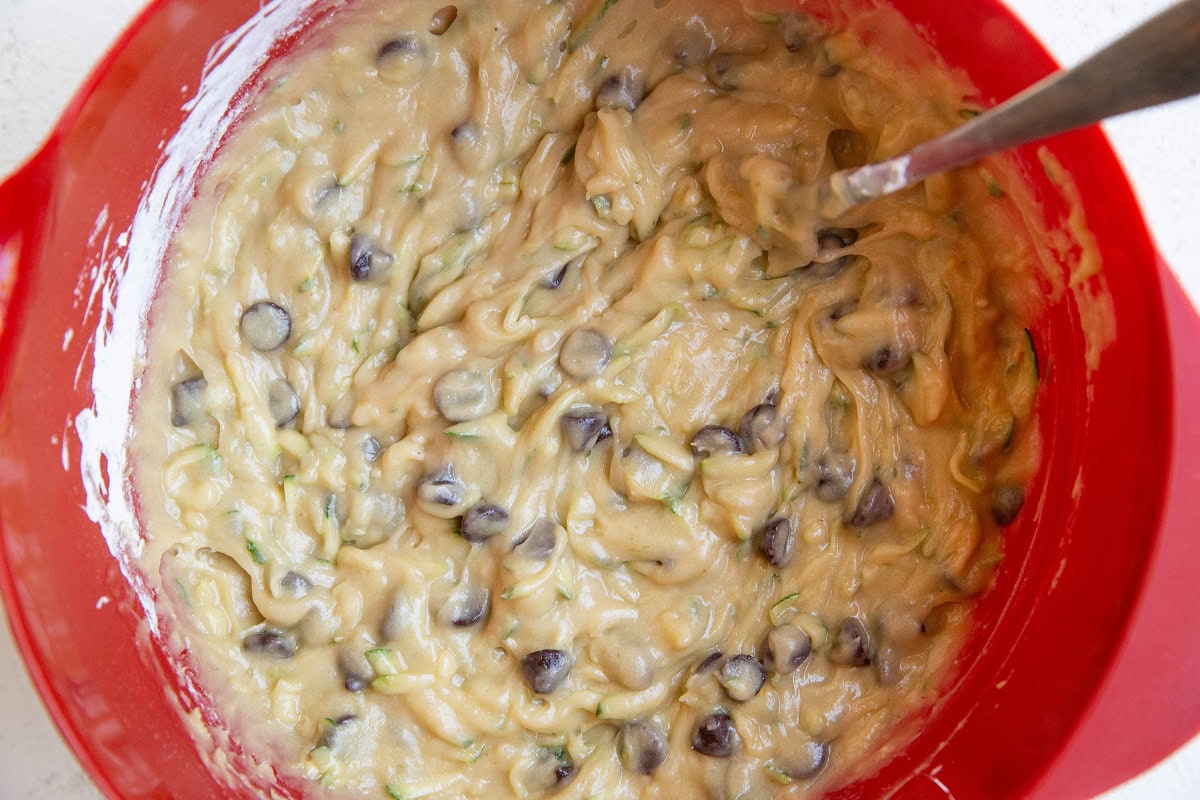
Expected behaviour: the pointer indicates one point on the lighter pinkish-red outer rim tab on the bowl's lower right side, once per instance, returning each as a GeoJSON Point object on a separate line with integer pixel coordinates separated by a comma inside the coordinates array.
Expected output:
{"type": "Point", "coordinates": [1138, 717]}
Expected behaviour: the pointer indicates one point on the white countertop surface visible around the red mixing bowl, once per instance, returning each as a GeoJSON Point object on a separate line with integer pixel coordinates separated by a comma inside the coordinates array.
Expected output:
{"type": "Point", "coordinates": [49, 46]}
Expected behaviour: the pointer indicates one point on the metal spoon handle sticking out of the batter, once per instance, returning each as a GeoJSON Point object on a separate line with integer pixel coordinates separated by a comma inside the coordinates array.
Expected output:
{"type": "Point", "coordinates": [1155, 64]}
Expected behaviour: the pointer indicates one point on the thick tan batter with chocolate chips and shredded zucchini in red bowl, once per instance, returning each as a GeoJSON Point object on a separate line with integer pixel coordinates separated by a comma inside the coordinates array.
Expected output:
{"type": "Point", "coordinates": [495, 443]}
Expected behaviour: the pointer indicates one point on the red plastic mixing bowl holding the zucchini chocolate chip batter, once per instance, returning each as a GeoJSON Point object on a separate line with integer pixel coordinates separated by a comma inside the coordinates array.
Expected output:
{"type": "Point", "coordinates": [1083, 669]}
